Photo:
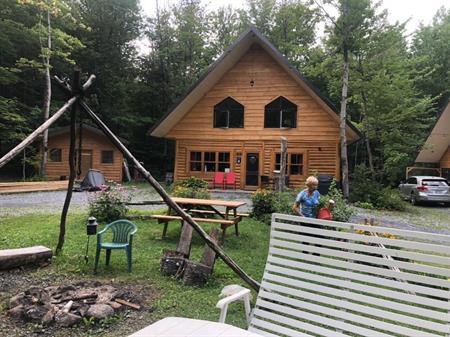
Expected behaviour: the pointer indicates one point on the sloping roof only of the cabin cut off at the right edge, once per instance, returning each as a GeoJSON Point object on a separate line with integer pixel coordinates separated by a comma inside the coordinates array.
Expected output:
{"type": "Point", "coordinates": [438, 141]}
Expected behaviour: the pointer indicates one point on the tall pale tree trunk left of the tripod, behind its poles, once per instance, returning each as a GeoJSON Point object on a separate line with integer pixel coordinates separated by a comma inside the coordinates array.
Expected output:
{"type": "Point", "coordinates": [47, 97]}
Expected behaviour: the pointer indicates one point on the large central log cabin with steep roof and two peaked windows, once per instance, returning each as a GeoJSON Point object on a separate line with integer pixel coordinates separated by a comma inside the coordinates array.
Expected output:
{"type": "Point", "coordinates": [233, 119]}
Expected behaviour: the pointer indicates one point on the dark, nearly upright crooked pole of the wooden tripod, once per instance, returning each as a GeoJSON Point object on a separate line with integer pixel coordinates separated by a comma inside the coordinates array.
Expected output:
{"type": "Point", "coordinates": [72, 171]}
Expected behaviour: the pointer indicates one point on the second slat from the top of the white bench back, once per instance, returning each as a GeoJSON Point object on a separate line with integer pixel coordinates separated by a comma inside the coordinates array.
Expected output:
{"type": "Point", "coordinates": [414, 245]}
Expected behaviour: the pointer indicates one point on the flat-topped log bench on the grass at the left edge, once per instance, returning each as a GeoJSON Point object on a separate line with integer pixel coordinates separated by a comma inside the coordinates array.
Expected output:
{"type": "Point", "coordinates": [11, 258]}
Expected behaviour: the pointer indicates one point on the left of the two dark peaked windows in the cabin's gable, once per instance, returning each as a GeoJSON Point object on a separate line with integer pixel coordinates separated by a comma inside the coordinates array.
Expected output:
{"type": "Point", "coordinates": [229, 114]}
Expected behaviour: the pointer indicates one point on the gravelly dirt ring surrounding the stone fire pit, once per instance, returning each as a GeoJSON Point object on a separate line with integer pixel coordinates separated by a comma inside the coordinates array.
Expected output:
{"type": "Point", "coordinates": [121, 323]}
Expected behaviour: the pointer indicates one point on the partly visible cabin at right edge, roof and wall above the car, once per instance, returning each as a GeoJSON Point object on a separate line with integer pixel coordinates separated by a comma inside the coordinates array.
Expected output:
{"type": "Point", "coordinates": [436, 150]}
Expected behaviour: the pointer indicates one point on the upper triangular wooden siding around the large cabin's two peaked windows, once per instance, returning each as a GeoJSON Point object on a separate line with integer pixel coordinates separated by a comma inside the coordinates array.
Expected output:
{"type": "Point", "coordinates": [270, 82]}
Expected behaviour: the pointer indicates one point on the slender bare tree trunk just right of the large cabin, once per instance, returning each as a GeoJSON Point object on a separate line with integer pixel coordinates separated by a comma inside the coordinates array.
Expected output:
{"type": "Point", "coordinates": [343, 124]}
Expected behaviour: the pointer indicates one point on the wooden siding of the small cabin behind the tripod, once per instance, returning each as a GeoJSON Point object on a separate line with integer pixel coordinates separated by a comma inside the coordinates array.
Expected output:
{"type": "Point", "coordinates": [93, 142]}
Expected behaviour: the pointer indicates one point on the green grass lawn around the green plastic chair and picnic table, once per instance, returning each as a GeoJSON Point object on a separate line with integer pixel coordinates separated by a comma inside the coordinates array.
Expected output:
{"type": "Point", "coordinates": [249, 250]}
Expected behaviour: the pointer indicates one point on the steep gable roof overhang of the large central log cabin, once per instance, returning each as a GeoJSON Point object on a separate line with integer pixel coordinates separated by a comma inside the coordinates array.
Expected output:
{"type": "Point", "coordinates": [224, 63]}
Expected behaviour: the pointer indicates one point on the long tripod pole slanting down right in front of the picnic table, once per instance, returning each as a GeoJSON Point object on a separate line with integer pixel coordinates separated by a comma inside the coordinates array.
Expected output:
{"type": "Point", "coordinates": [186, 217]}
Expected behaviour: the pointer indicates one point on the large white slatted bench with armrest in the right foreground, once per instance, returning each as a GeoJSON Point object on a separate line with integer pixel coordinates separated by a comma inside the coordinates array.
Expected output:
{"type": "Point", "coordinates": [325, 278]}
